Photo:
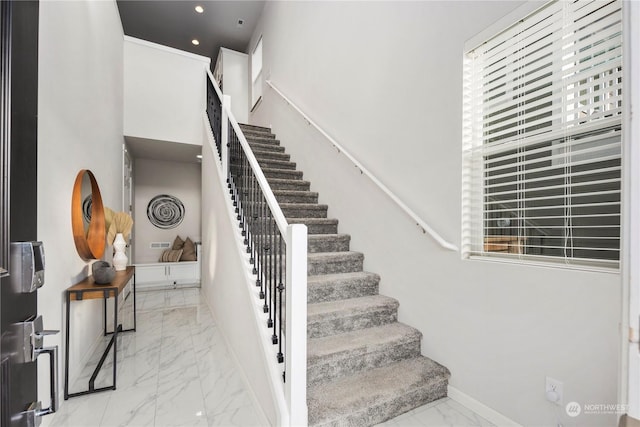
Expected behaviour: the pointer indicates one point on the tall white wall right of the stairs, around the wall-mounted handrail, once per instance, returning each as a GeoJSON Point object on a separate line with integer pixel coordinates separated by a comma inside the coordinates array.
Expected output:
{"type": "Point", "coordinates": [385, 79]}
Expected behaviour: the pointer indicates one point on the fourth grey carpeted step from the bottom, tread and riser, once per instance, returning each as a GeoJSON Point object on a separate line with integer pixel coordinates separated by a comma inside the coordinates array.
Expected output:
{"type": "Point", "coordinates": [332, 287]}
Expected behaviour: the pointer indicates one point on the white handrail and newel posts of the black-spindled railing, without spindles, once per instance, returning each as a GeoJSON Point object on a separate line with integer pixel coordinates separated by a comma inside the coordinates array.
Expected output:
{"type": "Point", "coordinates": [295, 387]}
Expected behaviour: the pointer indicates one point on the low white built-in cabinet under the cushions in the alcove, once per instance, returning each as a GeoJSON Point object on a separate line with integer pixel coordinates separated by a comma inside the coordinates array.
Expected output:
{"type": "Point", "coordinates": [167, 274]}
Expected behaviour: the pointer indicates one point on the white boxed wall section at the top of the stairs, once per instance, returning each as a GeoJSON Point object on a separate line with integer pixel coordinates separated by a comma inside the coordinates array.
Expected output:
{"type": "Point", "coordinates": [232, 74]}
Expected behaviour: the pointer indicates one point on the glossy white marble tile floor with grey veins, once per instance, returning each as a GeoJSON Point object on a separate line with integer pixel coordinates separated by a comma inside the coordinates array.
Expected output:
{"type": "Point", "coordinates": [175, 370]}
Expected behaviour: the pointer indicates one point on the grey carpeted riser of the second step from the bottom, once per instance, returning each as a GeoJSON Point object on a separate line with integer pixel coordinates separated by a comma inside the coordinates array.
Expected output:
{"type": "Point", "coordinates": [333, 367]}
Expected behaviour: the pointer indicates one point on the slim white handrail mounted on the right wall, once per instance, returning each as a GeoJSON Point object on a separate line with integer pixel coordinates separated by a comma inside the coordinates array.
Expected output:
{"type": "Point", "coordinates": [419, 222]}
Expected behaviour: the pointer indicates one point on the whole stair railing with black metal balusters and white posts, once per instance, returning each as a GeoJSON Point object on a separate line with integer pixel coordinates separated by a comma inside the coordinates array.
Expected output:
{"type": "Point", "coordinates": [277, 251]}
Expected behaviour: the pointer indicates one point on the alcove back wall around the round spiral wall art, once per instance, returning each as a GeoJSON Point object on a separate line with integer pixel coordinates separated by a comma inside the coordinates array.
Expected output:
{"type": "Point", "coordinates": [154, 177]}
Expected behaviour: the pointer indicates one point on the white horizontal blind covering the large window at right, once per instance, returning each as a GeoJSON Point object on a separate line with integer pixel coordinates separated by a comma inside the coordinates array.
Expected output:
{"type": "Point", "coordinates": [542, 137]}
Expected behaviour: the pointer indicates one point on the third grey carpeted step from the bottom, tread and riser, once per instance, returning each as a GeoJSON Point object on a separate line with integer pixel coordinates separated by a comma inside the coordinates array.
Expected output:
{"type": "Point", "coordinates": [336, 317]}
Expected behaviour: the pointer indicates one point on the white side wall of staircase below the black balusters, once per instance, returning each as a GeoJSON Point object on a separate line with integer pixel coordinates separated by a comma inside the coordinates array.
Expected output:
{"type": "Point", "coordinates": [225, 284]}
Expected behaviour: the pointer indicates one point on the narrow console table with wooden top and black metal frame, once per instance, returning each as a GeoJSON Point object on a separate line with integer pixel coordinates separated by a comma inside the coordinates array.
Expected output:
{"type": "Point", "coordinates": [88, 289]}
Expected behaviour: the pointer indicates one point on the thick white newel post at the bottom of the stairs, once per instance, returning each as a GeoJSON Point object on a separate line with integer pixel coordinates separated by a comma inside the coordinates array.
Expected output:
{"type": "Point", "coordinates": [296, 325]}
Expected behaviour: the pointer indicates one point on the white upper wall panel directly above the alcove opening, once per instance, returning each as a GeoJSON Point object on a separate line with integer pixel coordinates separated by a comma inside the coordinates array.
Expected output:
{"type": "Point", "coordinates": [165, 92]}
